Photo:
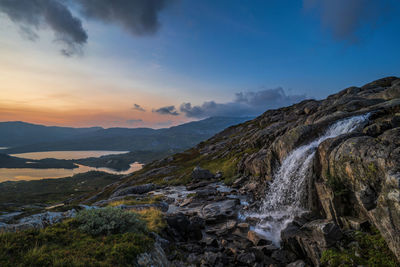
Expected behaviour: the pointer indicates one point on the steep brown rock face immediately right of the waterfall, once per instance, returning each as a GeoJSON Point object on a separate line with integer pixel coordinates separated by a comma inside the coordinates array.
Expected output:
{"type": "Point", "coordinates": [361, 172]}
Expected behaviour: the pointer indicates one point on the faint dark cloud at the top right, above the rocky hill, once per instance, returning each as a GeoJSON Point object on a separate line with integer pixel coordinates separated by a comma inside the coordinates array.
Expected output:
{"type": "Point", "coordinates": [345, 17]}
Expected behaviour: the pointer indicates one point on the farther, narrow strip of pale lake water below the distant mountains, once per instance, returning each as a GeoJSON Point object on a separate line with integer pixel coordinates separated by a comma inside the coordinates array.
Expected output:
{"type": "Point", "coordinates": [67, 154]}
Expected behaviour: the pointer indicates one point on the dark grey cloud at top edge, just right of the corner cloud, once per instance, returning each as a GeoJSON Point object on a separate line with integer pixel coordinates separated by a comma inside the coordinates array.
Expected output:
{"type": "Point", "coordinates": [139, 17]}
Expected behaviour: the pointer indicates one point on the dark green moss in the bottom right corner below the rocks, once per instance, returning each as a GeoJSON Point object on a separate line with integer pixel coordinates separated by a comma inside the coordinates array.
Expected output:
{"type": "Point", "coordinates": [370, 251]}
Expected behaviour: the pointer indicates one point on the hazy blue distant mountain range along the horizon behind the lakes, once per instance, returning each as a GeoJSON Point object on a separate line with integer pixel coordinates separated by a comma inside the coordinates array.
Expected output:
{"type": "Point", "coordinates": [22, 137]}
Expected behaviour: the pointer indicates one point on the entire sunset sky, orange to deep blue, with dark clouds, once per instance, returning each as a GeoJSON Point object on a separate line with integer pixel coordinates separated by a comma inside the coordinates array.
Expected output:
{"type": "Point", "coordinates": [158, 63]}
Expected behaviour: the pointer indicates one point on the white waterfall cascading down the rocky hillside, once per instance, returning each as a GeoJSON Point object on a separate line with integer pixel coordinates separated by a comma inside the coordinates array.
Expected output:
{"type": "Point", "coordinates": [286, 195]}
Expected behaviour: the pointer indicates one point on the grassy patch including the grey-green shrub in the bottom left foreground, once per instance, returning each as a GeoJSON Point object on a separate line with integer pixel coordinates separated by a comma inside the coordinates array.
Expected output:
{"type": "Point", "coordinates": [84, 241]}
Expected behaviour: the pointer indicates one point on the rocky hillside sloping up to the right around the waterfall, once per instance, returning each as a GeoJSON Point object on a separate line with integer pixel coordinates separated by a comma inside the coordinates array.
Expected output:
{"type": "Point", "coordinates": [352, 188]}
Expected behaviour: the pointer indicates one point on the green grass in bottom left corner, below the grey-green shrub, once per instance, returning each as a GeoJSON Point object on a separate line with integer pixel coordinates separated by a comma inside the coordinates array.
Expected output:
{"type": "Point", "coordinates": [64, 244]}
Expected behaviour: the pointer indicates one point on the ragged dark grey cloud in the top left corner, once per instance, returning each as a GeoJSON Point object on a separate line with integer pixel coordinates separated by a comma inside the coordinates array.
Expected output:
{"type": "Point", "coordinates": [31, 15]}
